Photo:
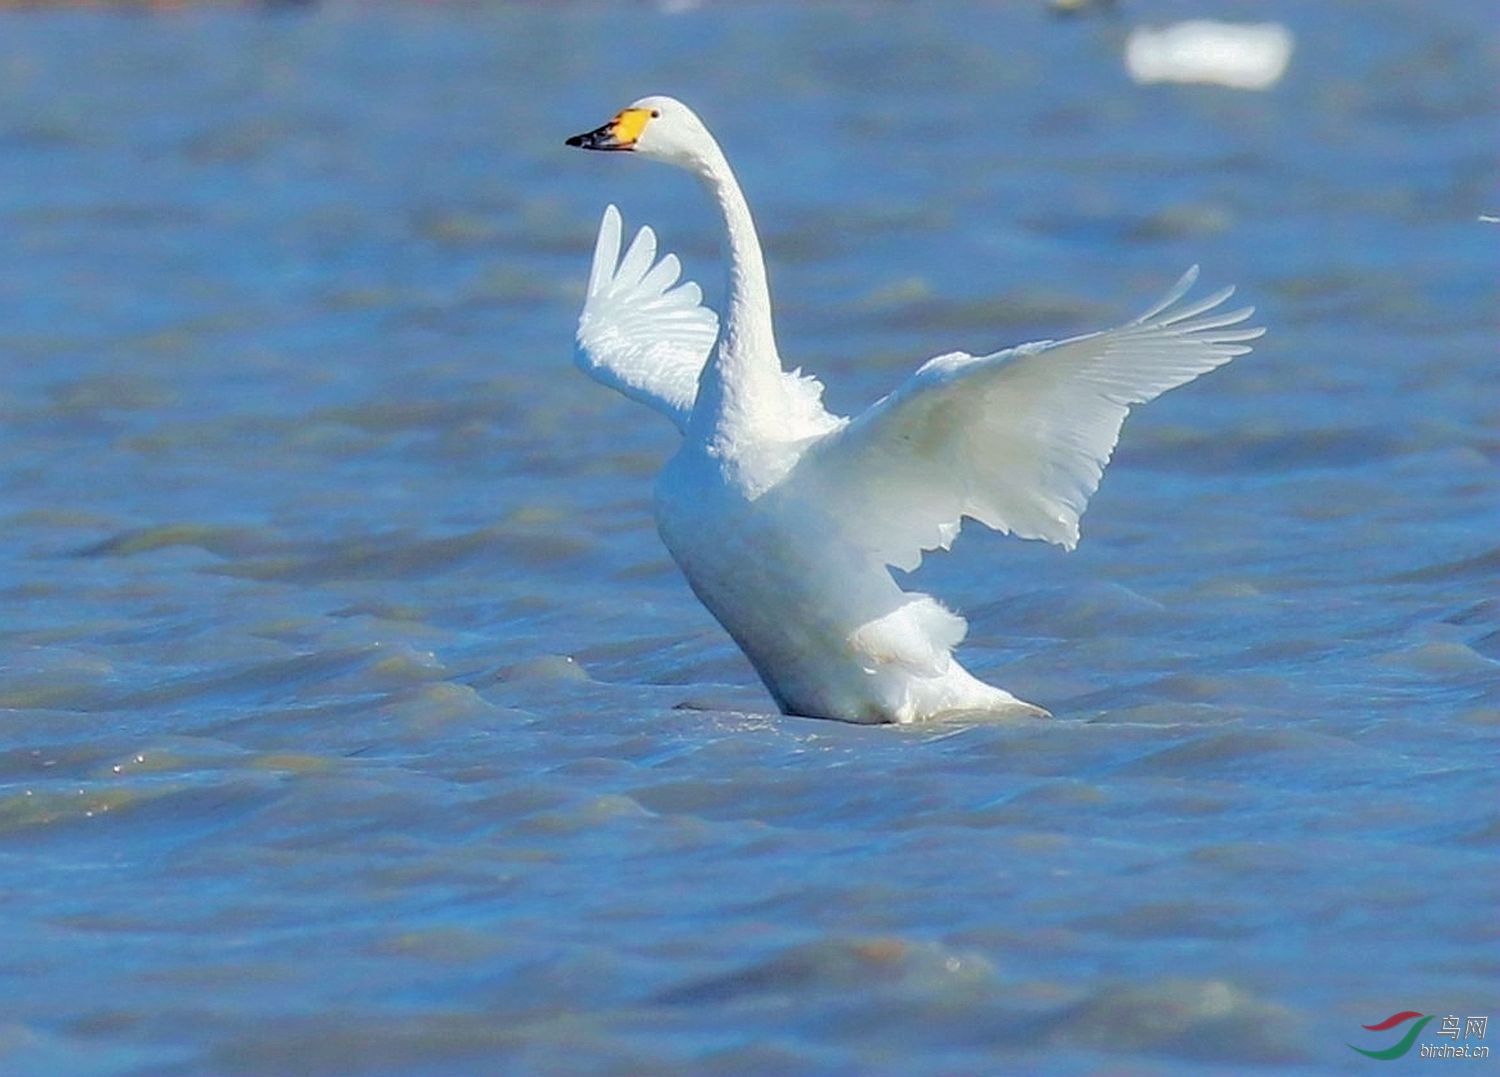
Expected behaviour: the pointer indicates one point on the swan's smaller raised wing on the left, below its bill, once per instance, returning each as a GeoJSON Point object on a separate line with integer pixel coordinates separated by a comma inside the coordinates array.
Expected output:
{"type": "Point", "coordinates": [638, 334]}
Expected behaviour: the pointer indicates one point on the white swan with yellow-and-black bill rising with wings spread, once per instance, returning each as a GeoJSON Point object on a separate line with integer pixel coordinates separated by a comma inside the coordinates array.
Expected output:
{"type": "Point", "coordinates": [785, 518]}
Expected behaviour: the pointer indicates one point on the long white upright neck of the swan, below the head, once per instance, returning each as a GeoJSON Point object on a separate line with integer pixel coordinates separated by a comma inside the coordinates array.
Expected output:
{"type": "Point", "coordinates": [740, 386]}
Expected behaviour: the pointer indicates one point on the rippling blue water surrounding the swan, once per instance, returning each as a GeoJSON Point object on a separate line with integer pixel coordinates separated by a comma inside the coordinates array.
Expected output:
{"type": "Point", "coordinates": [353, 721]}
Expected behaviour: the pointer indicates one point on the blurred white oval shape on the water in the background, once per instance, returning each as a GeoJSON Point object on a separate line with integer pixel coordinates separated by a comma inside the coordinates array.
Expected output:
{"type": "Point", "coordinates": [1246, 56]}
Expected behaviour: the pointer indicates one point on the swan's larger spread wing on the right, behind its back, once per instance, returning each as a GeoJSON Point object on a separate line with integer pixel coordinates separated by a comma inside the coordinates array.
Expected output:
{"type": "Point", "coordinates": [1016, 440]}
